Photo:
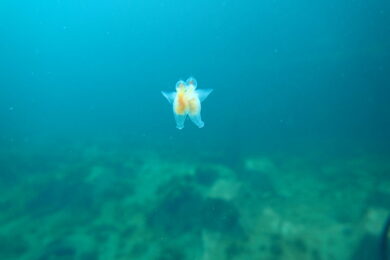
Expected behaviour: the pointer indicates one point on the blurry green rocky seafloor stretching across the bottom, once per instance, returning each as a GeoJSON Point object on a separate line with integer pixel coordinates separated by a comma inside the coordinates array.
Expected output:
{"type": "Point", "coordinates": [95, 203]}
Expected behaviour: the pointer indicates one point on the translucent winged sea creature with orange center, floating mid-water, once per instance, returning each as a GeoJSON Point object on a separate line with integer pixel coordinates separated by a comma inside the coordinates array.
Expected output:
{"type": "Point", "coordinates": [187, 101]}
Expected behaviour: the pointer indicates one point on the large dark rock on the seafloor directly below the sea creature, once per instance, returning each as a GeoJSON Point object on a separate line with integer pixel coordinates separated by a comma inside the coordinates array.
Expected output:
{"type": "Point", "coordinates": [184, 210]}
